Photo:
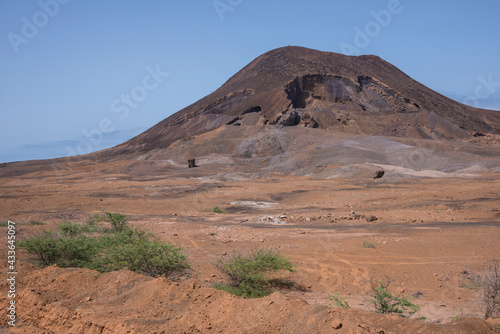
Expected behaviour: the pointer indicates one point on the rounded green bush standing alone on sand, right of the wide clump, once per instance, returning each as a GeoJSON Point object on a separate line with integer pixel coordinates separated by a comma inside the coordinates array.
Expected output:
{"type": "Point", "coordinates": [250, 273]}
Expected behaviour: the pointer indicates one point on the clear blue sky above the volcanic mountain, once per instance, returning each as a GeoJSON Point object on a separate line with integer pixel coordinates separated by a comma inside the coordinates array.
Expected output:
{"type": "Point", "coordinates": [78, 76]}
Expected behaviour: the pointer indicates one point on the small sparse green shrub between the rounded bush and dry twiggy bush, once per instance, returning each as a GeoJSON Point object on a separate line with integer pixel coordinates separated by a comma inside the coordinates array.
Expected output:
{"type": "Point", "coordinates": [385, 302]}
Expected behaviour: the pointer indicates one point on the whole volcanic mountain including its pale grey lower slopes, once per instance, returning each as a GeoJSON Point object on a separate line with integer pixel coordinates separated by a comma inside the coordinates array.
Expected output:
{"type": "Point", "coordinates": [307, 112]}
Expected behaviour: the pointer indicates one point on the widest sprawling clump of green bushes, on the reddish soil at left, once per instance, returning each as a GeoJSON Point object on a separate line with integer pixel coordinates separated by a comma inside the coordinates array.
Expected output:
{"type": "Point", "coordinates": [76, 245]}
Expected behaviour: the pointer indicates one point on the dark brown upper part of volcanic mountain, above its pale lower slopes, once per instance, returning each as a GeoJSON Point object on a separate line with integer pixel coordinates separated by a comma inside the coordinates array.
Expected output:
{"type": "Point", "coordinates": [300, 87]}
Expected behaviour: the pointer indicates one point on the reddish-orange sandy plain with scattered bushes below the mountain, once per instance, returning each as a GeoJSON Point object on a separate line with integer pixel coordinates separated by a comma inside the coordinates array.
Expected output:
{"type": "Point", "coordinates": [427, 232]}
